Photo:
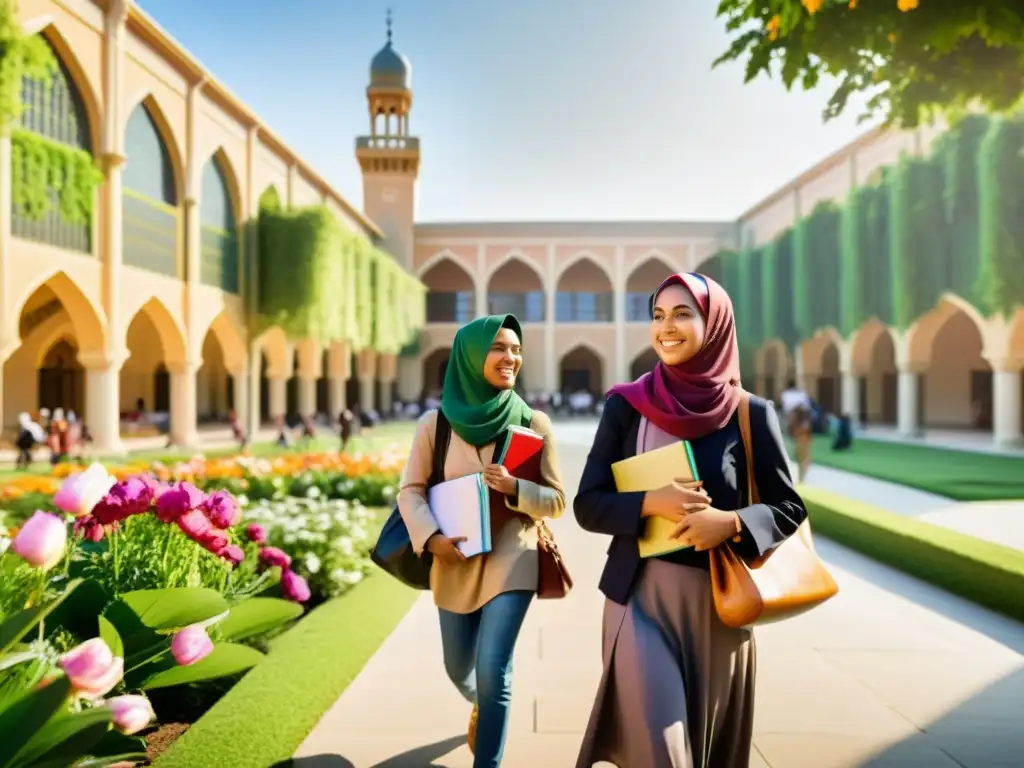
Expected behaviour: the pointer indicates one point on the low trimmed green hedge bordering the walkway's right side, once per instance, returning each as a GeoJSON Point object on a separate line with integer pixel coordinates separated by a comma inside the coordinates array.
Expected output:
{"type": "Point", "coordinates": [985, 573]}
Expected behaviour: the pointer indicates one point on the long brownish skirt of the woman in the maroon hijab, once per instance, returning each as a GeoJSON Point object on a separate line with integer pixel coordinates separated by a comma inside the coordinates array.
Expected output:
{"type": "Point", "coordinates": [678, 686]}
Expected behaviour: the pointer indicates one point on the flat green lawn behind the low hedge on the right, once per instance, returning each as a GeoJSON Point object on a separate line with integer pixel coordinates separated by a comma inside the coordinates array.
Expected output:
{"type": "Point", "coordinates": [959, 475]}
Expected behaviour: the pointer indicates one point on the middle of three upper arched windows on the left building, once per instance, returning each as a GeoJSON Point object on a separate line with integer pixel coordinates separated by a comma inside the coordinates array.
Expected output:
{"type": "Point", "coordinates": [151, 219]}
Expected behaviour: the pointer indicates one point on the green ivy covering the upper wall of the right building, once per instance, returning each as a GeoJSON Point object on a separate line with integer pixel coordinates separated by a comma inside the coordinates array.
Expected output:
{"type": "Point", "coordinates": [950, 222]}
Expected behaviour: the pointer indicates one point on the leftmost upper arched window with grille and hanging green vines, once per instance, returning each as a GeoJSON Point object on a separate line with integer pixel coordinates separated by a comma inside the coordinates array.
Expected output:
{"type": "Point", "coordinates": [55, 111]}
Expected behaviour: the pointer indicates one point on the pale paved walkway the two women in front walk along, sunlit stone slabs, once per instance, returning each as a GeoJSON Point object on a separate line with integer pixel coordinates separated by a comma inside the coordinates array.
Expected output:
{"type": "Point", "coordinates": [891, 673]}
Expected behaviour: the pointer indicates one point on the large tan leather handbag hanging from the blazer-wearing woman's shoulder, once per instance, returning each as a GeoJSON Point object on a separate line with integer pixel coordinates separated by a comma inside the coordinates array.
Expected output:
{"type": "Point", "coordinates": [788, 581]}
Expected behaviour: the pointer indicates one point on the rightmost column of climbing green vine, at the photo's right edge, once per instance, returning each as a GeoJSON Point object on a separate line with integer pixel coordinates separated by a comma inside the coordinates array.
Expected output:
{"type": "Point", "coordinates": [1001, 286]}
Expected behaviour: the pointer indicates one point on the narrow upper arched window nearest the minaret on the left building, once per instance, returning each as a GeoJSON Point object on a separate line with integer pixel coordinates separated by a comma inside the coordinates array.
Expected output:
{"type": "Point", "coordinates": [220, 261]}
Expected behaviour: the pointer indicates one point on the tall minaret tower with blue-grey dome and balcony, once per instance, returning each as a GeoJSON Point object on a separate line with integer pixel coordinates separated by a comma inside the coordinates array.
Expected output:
{"type": "Point", "coordinates": [390, 157]}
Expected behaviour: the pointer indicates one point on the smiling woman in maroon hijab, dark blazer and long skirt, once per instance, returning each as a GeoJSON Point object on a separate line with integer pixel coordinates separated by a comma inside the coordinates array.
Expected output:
{"type": "Point", "coordinates": [678, 686]}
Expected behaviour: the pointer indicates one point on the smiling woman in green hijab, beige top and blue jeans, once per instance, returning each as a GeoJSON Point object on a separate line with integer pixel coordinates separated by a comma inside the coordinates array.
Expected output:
{"type": "Point", "coordinates": [483, 601]}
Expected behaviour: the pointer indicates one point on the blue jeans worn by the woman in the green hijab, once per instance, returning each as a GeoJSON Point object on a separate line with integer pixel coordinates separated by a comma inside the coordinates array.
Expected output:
{"type": "Point", "coordinates": [479, 651]}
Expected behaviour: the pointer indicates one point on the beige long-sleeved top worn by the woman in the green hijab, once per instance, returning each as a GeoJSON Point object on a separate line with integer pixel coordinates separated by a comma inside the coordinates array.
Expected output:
{"type": "Point", "coordinates": [513, 564]}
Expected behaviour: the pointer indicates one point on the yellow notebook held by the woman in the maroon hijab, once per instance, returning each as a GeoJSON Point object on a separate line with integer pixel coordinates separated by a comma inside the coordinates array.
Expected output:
{"type": "Point", "coordinates": [649, 473]}
